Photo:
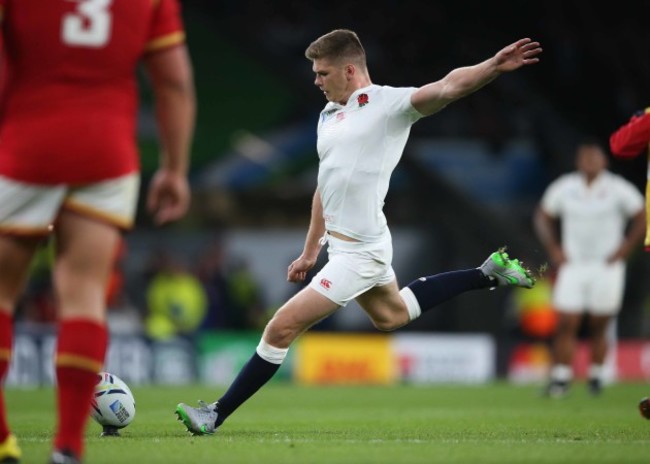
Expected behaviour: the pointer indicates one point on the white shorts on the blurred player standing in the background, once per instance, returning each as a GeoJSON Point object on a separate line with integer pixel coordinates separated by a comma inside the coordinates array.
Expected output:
{"type": "Point", "coordinates": [595, 288]}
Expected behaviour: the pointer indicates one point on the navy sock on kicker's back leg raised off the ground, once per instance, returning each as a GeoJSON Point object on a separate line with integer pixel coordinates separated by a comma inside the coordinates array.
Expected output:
{"type": "Point", "coordinates": [432, 290]}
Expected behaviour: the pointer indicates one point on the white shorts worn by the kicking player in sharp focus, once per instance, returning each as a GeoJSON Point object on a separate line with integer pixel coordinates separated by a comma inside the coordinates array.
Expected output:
{"type": "Point", "coordinates": [353, 268]}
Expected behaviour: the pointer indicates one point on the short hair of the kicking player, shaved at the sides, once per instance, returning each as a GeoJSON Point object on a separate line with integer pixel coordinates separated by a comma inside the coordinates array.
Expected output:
{"type": "Point", "coordinates": [337, 45]}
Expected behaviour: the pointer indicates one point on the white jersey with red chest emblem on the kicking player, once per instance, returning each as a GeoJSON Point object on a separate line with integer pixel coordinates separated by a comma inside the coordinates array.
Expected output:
{"type": "Point", "coordinates": [359, 145]}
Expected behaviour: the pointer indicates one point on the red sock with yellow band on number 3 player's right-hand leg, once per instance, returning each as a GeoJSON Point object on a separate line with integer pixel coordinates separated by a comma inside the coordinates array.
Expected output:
{"type": "Point", "coordinates": [81, 347]}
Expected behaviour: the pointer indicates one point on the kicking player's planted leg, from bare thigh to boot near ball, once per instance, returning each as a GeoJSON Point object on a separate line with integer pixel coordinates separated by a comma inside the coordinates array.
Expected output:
{"type": "Point", "coordinates": [302, 311]}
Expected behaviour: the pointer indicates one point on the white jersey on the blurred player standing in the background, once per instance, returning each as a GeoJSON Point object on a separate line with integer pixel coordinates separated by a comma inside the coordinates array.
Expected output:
{"type": "Point", "coordinates": [593, 218]}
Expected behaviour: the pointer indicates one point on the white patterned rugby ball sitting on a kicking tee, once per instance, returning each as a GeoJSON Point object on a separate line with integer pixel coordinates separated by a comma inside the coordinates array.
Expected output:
{"type": "Point", "coordinates": [113, 405]}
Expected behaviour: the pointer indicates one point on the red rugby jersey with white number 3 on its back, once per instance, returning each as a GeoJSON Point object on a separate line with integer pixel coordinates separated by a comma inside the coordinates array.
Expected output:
{"type": "Point", "coordinates": [69, 102]}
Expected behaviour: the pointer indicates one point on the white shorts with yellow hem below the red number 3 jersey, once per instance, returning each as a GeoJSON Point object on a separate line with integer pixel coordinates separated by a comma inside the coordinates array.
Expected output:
{"type": "Point", "coordinates": [30, 209]}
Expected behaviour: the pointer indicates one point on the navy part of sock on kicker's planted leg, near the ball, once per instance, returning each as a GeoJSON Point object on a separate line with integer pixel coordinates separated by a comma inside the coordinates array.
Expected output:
{"type": "Point", "coordinates": [255, 373]}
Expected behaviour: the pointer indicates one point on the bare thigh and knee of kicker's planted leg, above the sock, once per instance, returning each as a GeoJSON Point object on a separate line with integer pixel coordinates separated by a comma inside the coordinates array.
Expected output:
{"type": "Point", "coordinates": [302, 311]}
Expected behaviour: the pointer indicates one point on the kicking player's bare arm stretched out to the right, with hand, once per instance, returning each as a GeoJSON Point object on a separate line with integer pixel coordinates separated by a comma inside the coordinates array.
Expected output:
{"type": "Point", "coordinates": [461, 82]}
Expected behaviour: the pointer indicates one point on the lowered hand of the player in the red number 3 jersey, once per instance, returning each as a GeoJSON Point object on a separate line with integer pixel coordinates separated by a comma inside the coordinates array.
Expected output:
{"type": "Point", "coordinates": [169, 196]}
